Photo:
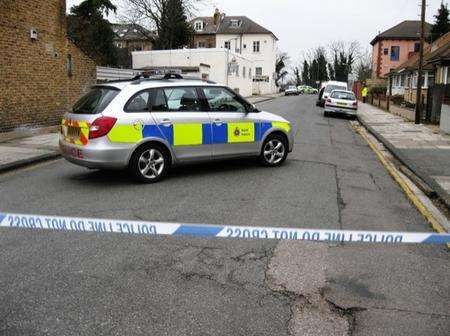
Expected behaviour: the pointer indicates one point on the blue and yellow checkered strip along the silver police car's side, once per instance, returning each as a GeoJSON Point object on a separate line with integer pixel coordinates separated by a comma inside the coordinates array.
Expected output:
{"type": "Point", "coordinates": [186, 134]}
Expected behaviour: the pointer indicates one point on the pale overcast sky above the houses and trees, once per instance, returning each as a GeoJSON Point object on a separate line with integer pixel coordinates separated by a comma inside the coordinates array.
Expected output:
{"type": "Point", "coordinates": [304, 24]}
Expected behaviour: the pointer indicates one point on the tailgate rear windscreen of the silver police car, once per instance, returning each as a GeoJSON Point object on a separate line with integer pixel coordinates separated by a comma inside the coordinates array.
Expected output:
{"type": "Point", "coordinates": [96, 100]}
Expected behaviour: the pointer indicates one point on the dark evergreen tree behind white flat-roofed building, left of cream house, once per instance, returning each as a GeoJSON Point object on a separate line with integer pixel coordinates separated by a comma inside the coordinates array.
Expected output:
{"type": "Point", "coordinates": [174, 31]}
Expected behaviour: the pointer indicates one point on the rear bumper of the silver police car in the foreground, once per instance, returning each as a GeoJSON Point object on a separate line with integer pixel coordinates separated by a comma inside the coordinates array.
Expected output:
{"type": "Point", "coordinates": [95, 157]}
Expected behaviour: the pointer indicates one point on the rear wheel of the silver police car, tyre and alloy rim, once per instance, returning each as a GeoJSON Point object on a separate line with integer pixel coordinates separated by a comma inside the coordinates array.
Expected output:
{"type": "Point", "coordinates": [150, 163]}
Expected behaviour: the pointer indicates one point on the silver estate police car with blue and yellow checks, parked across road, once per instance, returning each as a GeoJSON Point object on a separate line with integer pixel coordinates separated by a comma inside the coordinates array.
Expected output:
{"type": "Point", "coordinates": [151, 124]}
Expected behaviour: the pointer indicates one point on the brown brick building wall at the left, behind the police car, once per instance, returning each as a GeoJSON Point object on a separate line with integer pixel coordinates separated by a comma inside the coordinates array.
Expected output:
{"type": "Point", "coordinates": [35, 86]}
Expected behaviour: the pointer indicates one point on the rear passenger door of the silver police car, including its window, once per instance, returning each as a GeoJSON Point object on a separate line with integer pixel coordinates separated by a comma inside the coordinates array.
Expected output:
{"type": "Point", "coordinates": [184, 121]}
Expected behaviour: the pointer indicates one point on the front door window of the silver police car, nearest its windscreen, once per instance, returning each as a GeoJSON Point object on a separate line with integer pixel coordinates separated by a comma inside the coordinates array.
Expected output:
{"type": "Point", "coordinates": [222, 100]}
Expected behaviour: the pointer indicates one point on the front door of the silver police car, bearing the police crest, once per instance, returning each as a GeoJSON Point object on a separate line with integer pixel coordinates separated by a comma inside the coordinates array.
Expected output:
{"type": "Point", "coordinates": [234, 130]}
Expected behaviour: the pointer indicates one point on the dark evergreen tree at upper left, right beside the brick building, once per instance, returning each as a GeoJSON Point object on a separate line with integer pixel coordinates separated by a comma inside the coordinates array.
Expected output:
{"type": "Point", "coordinates": [88, 29]}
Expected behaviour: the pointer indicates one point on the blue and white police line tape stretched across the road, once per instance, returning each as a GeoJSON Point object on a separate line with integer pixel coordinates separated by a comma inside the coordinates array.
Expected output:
{"type": "Point", "coordinates": [96, 225]}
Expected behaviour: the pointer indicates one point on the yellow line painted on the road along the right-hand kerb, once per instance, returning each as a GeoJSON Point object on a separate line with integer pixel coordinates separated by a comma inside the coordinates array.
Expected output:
{"type": "Point", "coordinates": [409, 193]}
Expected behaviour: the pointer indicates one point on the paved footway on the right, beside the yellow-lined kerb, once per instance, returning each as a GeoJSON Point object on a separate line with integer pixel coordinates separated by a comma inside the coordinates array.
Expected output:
{"type": "Point", "coordinates": [425, 152]}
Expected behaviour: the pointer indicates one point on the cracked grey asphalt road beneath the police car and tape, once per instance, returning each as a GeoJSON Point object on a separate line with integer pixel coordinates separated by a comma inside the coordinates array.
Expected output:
{"type": "Point", "coordinates": [60, 283]}
